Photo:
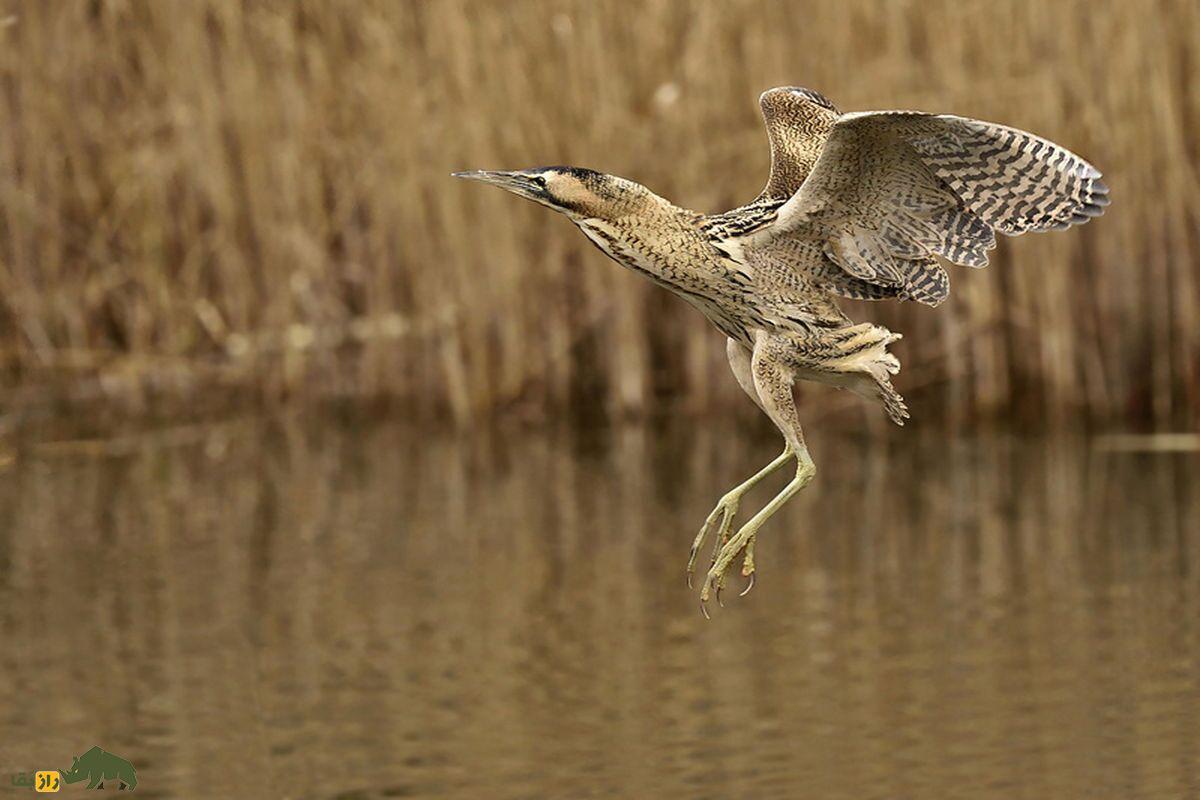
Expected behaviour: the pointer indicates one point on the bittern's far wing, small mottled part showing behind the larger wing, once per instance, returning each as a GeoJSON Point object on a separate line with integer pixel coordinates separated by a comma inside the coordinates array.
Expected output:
{"type": "Point", "coordinates": [799, 122]}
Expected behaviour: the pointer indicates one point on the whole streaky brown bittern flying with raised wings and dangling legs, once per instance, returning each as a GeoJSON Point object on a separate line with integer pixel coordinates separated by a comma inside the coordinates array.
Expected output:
{"type": "Point", "coordinates": [856, 206]}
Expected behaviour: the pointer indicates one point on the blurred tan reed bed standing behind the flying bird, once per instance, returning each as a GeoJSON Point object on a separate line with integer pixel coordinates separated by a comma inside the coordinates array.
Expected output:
{"type": "Point", "coordinates": [215, 202]}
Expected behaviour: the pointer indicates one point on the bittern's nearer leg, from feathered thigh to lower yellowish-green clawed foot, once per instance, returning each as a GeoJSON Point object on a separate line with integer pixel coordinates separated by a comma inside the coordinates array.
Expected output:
{"type": "Point", "coordinates": [772, 380]}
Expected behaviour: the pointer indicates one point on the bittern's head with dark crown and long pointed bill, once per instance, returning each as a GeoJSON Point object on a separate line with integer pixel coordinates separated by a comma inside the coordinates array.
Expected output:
{"type": "Point", "coordinates": [579, 194]}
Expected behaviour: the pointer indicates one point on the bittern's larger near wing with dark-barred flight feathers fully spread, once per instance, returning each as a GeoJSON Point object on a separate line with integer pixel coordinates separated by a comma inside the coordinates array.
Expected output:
{"type": "Point", "coordinates": [892, 190]}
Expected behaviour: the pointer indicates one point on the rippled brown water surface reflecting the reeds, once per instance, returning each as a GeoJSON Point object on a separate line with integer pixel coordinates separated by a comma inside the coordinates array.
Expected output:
{"type": "Point", "coordinates": [263, 610]}
